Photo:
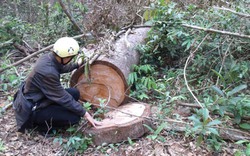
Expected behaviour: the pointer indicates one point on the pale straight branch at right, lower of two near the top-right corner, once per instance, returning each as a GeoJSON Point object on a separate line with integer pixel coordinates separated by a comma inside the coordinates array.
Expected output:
{"type": "Point", "coordinates": [217, 31]}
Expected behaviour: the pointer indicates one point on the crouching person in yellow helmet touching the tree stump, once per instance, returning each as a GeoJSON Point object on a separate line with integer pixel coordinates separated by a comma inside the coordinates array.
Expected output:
{"type": "Point", "coordinates": [42, 102]}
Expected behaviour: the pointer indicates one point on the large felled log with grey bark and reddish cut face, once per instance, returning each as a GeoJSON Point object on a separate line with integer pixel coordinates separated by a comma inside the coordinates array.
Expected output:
{"type": "Point", "coordinates": [109, 74]}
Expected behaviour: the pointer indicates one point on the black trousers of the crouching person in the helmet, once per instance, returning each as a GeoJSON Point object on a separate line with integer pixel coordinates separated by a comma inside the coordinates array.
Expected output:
{"type": "Point", "coordinates": [55, 116]}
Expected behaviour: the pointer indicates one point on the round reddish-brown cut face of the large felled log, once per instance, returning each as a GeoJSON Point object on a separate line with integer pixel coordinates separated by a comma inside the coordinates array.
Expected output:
{"type": "Point", "coordinates": [105, 82]}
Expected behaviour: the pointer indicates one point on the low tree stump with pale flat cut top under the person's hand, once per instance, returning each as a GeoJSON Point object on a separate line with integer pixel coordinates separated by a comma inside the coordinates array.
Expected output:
{"type": "Point", "coordinates": [125, 122]}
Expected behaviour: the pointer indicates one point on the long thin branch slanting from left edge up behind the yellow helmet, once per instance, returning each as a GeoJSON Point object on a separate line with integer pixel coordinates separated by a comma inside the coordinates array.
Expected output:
{"type": "Point", "coordinates": [34, 54]}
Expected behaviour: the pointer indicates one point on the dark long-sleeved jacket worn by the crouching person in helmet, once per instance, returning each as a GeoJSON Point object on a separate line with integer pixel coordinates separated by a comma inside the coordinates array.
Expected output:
{"type": "Point", "coordinates": [44, 88]}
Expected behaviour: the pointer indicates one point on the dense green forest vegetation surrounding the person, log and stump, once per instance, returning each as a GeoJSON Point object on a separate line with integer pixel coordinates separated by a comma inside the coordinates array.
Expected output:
{"type": "Point", "coordinates": [194, 67]}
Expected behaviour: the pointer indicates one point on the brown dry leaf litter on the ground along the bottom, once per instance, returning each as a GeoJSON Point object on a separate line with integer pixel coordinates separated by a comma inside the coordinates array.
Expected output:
{"type": "Point", "coordinates": [33, 143]}
